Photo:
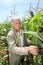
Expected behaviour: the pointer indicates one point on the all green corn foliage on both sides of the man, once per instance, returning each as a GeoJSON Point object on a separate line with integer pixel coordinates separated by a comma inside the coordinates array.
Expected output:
{"type": "Point", "coordinates": [33, 29]}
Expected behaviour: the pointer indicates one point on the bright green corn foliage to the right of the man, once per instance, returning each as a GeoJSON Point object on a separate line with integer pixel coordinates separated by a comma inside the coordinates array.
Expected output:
{"type": "Point", "coordinates": [33, 29]}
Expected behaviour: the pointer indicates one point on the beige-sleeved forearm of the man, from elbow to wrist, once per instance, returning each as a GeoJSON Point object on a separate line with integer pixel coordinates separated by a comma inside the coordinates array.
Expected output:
{"type": "Point", "coordinates": [19, 50]}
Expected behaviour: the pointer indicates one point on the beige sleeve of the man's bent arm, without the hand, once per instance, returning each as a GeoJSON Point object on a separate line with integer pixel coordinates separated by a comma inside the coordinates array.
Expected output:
{"type": "Point", "coordinates": [14, 49]}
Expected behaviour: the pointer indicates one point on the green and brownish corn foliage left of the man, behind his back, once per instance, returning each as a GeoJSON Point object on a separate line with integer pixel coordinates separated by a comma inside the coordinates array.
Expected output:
{"type": "Point", "coordinates": [4, 29]}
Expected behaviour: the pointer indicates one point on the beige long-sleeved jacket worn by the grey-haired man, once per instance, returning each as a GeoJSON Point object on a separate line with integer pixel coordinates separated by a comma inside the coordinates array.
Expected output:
{"type": "Point", "coordinates": [15, 51]}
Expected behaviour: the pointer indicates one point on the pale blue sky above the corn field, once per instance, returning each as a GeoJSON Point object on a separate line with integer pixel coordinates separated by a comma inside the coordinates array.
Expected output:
{"type": "Point", "coordinates": [21, 6]}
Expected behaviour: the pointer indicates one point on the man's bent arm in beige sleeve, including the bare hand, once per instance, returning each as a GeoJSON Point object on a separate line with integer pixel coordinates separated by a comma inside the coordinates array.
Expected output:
{"type": "Point", "coordinates": [20, 50]}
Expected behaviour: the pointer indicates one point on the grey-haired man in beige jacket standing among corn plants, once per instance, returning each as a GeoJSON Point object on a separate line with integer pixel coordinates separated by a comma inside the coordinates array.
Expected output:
{"type": "Point", "coordinates": [16, 43]}
